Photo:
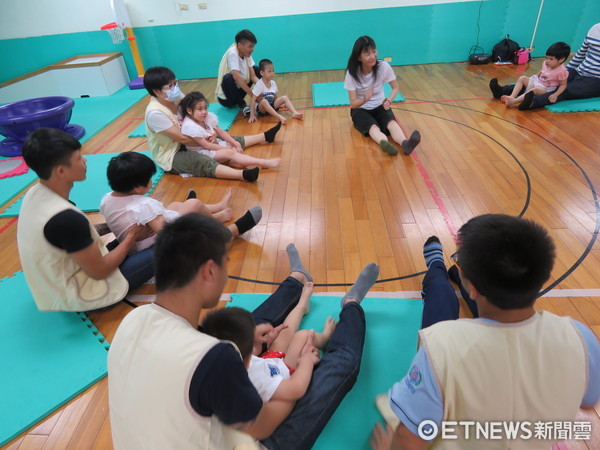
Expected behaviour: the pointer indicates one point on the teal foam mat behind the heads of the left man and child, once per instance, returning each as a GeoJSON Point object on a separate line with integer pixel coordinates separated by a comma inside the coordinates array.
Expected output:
{"type": "Point", "coordinates": [87, 194]}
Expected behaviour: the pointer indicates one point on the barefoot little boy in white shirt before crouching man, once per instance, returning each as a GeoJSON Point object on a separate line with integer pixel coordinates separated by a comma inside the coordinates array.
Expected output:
{"type": "Point", "coordinates": [264, 96]}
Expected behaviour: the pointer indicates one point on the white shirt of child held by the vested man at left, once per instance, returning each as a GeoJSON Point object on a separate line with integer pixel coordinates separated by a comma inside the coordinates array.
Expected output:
{"type": "Point", "coordinates": [121, 213]}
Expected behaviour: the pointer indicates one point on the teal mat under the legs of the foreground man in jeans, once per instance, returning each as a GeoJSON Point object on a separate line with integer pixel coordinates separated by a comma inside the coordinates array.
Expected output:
{"type": "Point", "coordinates": [390, 345]}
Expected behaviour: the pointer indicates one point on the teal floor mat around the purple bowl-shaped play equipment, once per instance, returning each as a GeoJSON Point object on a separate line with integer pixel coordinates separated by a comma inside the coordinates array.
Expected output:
{"type": "Point", "coordinates": [92, 113]}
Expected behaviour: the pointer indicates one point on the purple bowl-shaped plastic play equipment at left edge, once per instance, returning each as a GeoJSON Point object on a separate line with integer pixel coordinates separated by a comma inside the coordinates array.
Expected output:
{"type": "Point", "coordinates": [18, 119]}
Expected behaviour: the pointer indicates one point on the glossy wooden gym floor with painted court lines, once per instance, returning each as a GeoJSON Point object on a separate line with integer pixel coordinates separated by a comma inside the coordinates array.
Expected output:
{"type": "Point", "coordinates": [345, 203]}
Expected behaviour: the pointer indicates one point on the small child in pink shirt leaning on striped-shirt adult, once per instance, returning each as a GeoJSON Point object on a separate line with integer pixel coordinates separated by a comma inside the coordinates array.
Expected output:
{"type": "Point", "coordinates": [552, 77]}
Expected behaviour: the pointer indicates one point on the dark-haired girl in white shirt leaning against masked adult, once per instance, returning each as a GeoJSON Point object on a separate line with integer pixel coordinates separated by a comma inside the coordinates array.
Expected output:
{"type": "Point", "coordinates": [203, 127]}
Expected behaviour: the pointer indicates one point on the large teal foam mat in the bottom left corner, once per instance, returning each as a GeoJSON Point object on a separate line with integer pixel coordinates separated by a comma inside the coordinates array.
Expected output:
{"type": "Point", "coordinates": [47, 358]}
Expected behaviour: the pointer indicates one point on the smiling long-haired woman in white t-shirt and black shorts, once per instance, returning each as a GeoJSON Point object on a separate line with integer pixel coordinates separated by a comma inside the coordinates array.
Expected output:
{"type": "Point", "coordinates": [370, 109]}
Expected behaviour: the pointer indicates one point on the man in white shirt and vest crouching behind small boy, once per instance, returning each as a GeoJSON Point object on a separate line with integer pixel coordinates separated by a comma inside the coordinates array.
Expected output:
{"type": "Point", "coordinates": [237, 72]}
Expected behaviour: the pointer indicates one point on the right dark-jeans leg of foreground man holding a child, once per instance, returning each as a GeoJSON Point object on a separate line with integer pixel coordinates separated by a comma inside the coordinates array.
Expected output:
{"type": "Point", "coordinates": [332, 379]}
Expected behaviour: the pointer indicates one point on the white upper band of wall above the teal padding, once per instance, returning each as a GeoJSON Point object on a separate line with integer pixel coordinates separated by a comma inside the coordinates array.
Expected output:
{"type": "Point", "coordinates": [26, 18]}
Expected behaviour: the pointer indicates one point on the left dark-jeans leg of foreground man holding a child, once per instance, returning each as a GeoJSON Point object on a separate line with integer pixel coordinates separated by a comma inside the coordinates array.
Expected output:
{"type": "Point", "coordinates": [275, 309]}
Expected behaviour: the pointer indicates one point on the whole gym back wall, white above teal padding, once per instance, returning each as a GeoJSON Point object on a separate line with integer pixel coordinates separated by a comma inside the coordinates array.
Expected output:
{"type": "Point", "coordinates": [192, 42]}
